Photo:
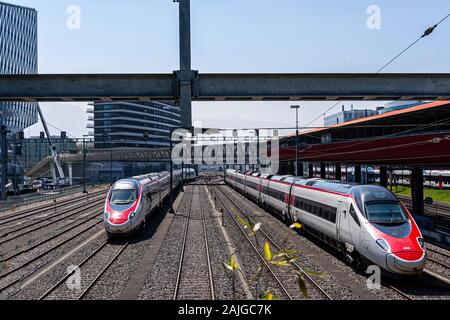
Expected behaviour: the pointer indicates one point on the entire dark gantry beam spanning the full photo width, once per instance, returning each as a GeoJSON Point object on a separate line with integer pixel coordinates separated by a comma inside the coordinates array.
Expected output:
{"type": "Point", "coordinates": [231, 87]}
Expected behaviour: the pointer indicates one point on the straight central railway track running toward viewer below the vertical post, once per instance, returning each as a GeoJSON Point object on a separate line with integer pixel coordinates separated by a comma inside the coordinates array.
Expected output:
{"type": "Point", "coordinates": [192, 263]}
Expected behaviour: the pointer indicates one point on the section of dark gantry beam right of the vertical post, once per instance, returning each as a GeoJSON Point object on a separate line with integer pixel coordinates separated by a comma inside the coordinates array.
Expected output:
{"type": "Point", "coordinates": [323, 86]}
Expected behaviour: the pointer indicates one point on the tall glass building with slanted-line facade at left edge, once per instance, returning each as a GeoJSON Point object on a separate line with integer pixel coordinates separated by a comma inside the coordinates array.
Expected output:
{"type": "Point", "coordinates": [18, 55]}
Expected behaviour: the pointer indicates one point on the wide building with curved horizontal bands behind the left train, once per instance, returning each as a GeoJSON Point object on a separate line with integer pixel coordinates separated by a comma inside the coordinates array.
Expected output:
{"type": "Point", "coordinates": [132, 124]}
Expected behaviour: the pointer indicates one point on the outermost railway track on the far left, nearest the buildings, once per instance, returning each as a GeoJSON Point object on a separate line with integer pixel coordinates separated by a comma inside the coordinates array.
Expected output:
{"type": "Point", "coordinates": [50, 206]}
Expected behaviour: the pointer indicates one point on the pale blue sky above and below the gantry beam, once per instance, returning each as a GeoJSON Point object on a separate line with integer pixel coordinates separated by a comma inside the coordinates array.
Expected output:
{"type": "Point", "coordinates": [237, 36]}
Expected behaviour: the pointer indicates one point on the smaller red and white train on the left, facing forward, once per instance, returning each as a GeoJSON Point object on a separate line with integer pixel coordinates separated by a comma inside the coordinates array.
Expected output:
{"type": "Point", "coordinates": [130, 202]}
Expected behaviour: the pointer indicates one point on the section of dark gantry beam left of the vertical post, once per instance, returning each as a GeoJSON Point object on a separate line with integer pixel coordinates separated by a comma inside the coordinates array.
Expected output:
{"type": "Point", "coordinates": [86, 87]}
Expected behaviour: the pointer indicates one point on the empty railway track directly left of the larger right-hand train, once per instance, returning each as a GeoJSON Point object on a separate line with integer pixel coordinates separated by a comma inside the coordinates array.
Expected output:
{"type": "Point", "coordinates": [261, 230]}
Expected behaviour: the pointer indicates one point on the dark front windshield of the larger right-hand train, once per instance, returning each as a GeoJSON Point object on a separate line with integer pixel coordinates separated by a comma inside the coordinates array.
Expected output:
{"type": "Point", "coordinates": [386, 212]}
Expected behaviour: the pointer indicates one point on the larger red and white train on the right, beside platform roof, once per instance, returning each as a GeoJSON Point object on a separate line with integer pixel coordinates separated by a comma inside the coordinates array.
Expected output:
{"type": "Point", "coordinates": [366, 222]}
